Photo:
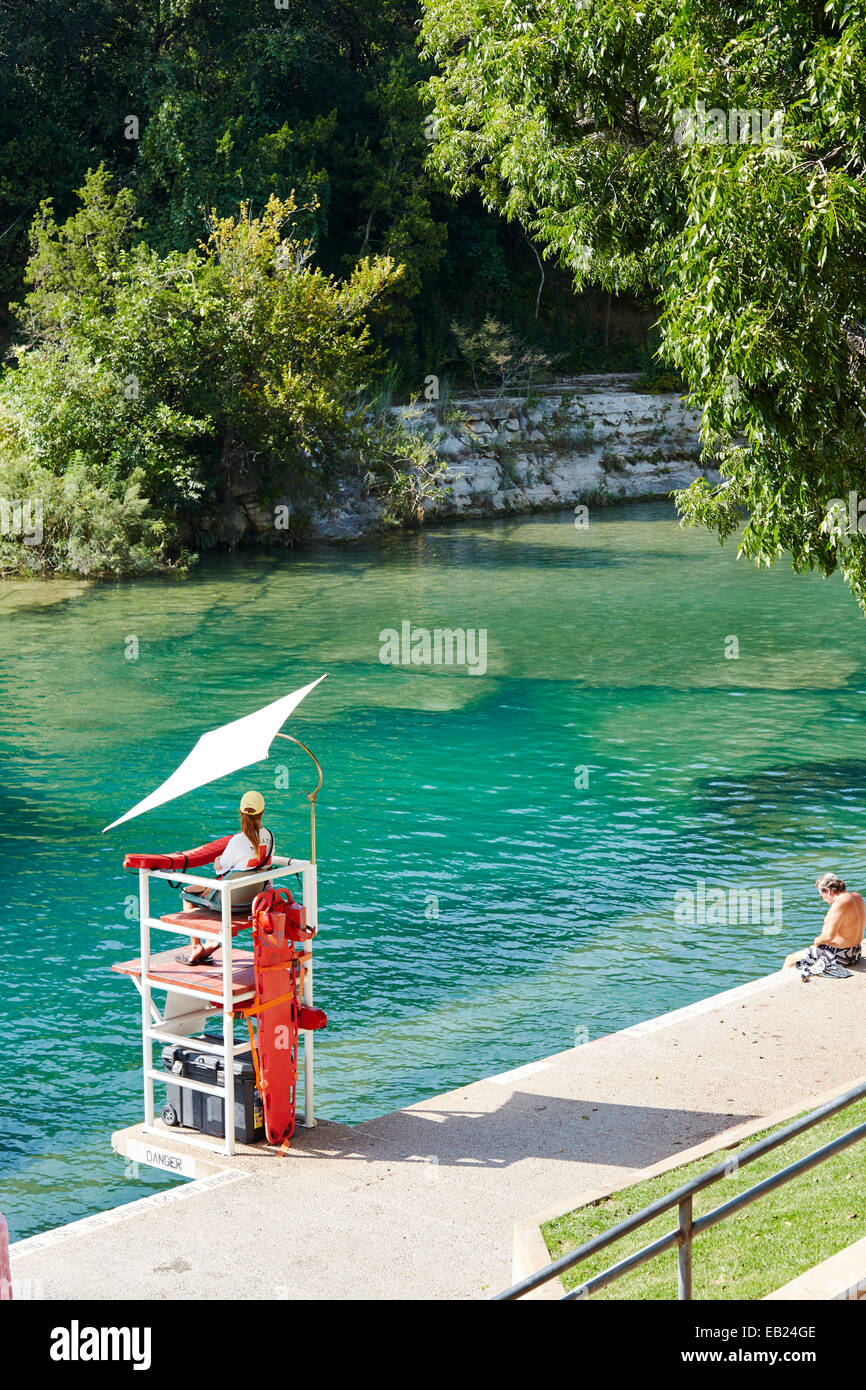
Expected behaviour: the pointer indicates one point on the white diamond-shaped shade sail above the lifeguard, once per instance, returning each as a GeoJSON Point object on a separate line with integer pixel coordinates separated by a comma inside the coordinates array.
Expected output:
{"type": "Point", "coordinates": [224, 751]}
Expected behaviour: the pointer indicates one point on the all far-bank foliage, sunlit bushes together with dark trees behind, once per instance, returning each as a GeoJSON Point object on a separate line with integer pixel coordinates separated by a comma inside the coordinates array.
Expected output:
{"type": "Point", "coordinates": [163, 383]}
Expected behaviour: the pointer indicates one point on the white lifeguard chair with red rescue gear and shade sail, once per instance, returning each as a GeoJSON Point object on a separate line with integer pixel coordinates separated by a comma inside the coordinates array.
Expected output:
{"type": "Point", "coordinates": [268, 983]}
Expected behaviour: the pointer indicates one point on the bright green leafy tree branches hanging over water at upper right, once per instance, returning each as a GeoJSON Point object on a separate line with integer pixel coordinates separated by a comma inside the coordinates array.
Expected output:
{"type": "Point", "coordinates": [575, 122]}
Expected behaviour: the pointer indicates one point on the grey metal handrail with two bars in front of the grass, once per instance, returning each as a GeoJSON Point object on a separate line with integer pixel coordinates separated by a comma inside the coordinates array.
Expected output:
{"type": "Point", "coordinates": [682, 1199]}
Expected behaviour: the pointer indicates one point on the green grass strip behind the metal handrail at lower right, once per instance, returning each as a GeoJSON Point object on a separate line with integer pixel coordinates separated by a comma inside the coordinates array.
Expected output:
{"type": "Point", "coordinates": [747, 1256]}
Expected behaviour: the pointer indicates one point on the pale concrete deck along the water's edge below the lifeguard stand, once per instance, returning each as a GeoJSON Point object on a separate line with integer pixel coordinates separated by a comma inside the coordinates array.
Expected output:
{"type": "Point", "coordinates": [425, 1203]}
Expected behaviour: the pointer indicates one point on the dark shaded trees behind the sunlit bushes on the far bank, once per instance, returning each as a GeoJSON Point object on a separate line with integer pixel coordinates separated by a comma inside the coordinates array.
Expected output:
{"type": "Point", "coordinates": [199, 105]}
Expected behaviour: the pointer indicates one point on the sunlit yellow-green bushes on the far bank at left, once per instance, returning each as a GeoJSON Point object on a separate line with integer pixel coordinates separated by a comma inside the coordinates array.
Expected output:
{"type": "Point", "coordinates": [174, 400]}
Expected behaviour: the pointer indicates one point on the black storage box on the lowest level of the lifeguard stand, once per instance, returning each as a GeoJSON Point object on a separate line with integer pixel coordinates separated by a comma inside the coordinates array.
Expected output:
{"type": "Point", "coordinates": [204, 1113]}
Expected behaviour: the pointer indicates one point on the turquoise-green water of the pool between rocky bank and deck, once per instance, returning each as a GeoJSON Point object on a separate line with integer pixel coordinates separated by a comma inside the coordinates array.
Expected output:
{"type": "Point", "coordinates": [446, 793]}
